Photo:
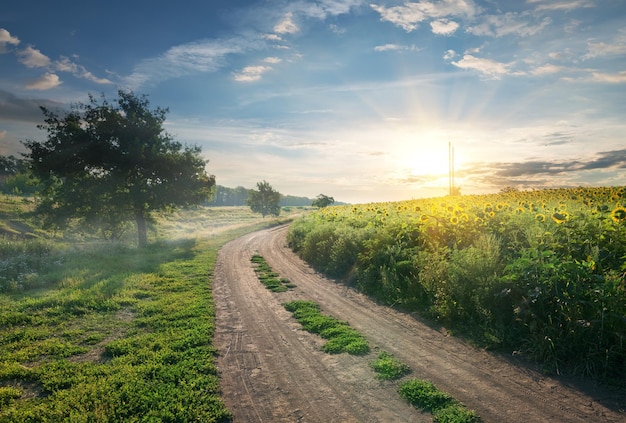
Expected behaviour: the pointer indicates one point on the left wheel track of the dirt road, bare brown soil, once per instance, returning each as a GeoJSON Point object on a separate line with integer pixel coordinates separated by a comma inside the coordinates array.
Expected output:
{"type": "Point", "coordinates": [272, 371]}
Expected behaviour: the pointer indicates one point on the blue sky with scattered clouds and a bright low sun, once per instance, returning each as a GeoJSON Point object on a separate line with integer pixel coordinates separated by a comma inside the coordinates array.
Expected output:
{"type": "Point", "coordinates": [358, 100]}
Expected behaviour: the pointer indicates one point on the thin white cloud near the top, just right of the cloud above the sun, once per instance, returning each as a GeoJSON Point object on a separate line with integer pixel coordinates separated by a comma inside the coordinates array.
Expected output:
{"type": "Point", "coordinates": [507, 24]}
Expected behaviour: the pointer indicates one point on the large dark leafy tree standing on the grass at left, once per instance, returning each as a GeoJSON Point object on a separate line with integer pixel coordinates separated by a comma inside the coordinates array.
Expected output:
{"type": "Point", "coordinates": [109, 163]}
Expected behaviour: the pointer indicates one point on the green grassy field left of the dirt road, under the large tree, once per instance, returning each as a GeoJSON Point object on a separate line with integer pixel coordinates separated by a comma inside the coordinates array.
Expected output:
{"type": "Point", "coordinates": [102, 331]}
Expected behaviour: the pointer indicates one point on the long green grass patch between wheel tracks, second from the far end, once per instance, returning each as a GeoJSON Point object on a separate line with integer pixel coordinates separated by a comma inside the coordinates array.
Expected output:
{"type": "Point", "coordinates": [339, 335]}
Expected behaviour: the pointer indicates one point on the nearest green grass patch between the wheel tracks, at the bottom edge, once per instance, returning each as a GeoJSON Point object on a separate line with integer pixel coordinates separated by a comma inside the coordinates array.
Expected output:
{"type": "Point", "coordinates": [445, 409]}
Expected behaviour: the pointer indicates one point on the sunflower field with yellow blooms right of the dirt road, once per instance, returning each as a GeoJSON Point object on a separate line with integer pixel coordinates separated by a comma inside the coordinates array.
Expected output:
{"type": "Point", "coordinates": [538, 273]}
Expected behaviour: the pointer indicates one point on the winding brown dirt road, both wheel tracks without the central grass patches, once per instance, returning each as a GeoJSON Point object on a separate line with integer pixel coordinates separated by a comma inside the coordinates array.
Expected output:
{"type": "Point", "coordinates": [272, 371]}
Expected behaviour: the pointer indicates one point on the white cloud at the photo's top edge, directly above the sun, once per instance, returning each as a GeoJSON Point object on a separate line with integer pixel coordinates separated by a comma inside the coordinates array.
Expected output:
{"type": "Point", "coordinates": [410, 15]}
